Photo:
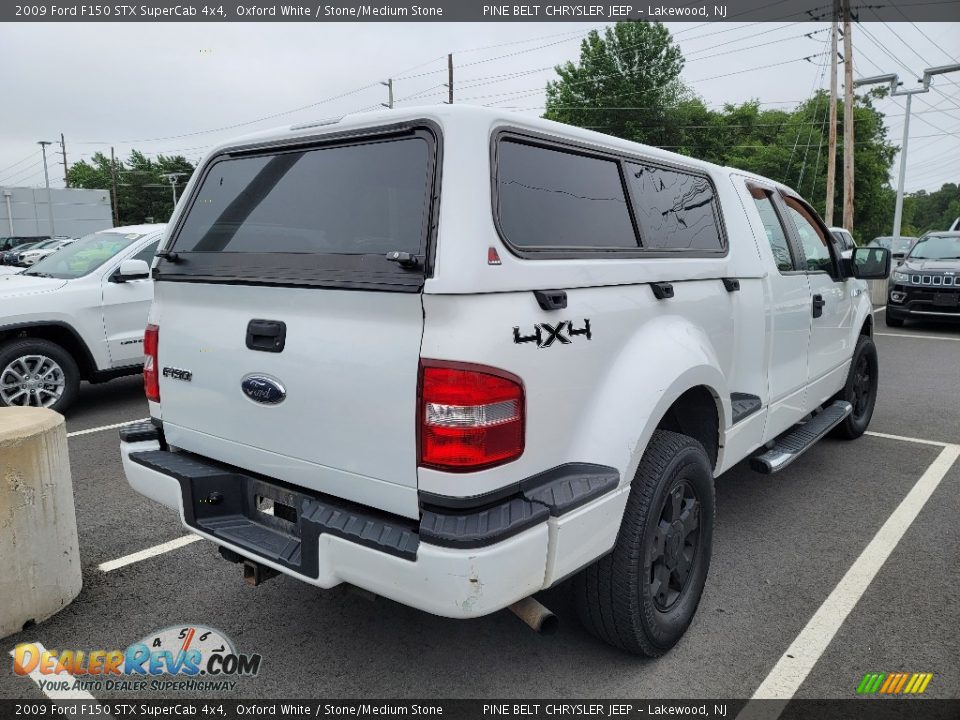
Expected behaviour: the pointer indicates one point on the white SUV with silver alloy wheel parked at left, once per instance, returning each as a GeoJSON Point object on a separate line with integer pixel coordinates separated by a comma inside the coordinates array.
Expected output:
{"type": "Point", "coordinates": [78, 314]}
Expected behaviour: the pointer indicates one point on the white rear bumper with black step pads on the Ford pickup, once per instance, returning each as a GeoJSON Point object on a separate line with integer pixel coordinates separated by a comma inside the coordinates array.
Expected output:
{"type": "Point", "coordinates": [456, 565]}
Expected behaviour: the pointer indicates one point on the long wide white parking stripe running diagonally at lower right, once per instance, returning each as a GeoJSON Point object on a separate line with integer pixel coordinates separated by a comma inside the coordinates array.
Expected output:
{"type": "Point", "coordinates": [791, 670]}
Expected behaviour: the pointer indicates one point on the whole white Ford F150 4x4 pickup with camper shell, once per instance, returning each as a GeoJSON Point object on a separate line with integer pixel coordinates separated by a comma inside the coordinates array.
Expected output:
{"type": "Point", "coordinates": [454, 356]}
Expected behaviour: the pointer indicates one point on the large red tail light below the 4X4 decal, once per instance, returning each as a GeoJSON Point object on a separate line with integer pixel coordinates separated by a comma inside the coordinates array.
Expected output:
{"type": "Point", "coordinates": [471, 416]}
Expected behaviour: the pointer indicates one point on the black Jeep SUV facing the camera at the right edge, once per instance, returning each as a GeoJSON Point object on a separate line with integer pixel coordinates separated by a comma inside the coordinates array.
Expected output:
{"type": "Point", "coordinates": [927, 284]}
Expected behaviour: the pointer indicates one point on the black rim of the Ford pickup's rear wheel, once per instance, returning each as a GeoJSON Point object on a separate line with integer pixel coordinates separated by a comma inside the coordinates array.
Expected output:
{"type": "Point", "coordinates": [674, 545]}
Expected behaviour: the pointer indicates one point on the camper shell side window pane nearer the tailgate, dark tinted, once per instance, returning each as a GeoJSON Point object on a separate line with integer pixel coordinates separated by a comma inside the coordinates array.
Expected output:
{"type": "Point", "coordinates": [553, 198]}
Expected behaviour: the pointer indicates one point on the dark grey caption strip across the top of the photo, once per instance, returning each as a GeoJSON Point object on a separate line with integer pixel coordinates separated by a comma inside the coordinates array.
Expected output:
{"type": "Point", "coordinates": [472, 11]}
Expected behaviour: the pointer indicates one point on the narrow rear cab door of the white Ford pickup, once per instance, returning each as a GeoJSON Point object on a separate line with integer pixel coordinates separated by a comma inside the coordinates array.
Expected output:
{"type": "Point", "coordinates": [788, 298]}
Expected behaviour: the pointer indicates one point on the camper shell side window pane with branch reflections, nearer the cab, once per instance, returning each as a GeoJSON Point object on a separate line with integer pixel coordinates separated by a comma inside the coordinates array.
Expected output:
{"type": "Point", "coordinates": [675, 210]}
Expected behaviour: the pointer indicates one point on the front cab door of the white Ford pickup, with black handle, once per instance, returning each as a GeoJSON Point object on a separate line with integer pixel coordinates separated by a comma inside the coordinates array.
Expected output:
{"type": "Point", "coordinates": [831, 307]}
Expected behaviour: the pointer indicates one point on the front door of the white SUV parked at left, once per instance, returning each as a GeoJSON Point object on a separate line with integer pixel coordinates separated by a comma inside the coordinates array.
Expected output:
{"type": "Point", "coordinates": [125, 308]}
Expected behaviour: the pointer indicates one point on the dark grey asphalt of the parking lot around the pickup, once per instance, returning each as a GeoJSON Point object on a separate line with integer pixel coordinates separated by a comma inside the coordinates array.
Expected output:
{"type": "Point", "coordinates": [783, 544]}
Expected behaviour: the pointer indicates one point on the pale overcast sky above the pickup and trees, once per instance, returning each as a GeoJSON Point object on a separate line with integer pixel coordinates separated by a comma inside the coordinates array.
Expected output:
{"type": "Point", "coordinates": [161, 88]}
